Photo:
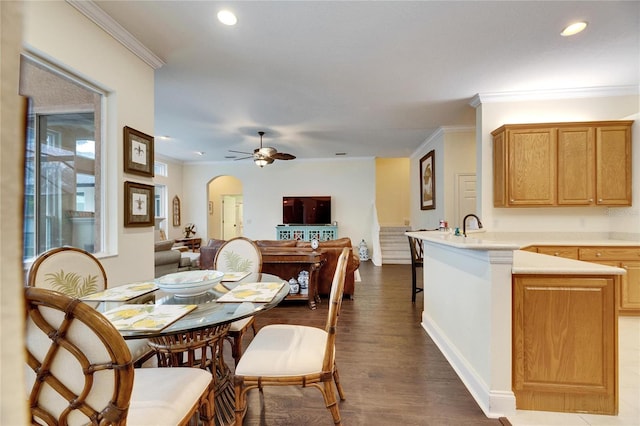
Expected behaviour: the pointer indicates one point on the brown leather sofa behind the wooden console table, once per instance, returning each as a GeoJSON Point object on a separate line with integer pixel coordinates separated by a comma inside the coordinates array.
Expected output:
{"type": "Point", "coordinates": [331, 249]}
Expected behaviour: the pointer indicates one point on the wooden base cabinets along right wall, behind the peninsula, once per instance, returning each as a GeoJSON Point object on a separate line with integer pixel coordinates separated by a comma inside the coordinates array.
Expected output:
{"type": "Point", "coordinates": [627, 258]}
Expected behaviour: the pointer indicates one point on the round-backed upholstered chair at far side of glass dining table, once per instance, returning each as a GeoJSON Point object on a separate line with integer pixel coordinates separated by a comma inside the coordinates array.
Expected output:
{"type": "Point", "coordinates": [239, 254]}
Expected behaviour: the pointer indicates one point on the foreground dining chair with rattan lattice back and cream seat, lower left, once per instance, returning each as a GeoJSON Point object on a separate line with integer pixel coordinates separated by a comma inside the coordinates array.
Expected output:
{"type": "Point", "coordinates": [80, 371]}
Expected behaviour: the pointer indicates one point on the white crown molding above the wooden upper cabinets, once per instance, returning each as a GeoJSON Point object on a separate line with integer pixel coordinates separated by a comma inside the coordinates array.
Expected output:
{"type": "Point", "coordinates": [585, 92]}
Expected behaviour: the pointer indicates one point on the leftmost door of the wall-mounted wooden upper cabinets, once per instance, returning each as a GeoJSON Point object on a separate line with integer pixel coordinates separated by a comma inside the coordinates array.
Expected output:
{"type": "Point", "coordinates": [531, 173]}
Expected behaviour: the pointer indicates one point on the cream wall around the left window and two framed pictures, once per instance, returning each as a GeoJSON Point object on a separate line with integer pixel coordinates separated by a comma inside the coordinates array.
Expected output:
{"type": "Point", "coordinates": [60, 34]}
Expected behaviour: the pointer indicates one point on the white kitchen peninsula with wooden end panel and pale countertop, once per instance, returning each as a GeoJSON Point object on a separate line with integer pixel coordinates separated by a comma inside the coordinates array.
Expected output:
{"type": "Point", "coordinates": [523, 330]}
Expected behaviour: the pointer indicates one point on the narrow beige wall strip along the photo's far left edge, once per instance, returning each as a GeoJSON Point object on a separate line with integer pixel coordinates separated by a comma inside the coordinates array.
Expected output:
{"type": "Point", "coordinates": [13, 407]}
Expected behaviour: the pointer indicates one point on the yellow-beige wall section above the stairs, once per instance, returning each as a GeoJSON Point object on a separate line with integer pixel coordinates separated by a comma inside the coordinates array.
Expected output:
{"type": "Point", "coordinates": [392, 191]}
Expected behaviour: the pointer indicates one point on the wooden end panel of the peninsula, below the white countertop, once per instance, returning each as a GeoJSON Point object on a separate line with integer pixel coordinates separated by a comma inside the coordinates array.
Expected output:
{"type": "Point", "coordinates": [565, 343]}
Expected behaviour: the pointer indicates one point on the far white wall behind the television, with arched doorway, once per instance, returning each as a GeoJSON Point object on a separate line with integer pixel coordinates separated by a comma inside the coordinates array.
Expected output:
{"type": "Point", "coordinates": [349, 182]}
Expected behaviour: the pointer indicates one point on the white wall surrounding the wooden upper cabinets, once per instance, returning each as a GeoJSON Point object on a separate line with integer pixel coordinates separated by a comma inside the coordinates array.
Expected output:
{"type": "Point", "coordinates": [624, 222]}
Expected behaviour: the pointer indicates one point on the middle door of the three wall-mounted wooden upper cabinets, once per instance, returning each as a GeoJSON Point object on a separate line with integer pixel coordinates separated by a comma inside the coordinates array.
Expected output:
{"type": "Point", "coordinates": [576, 166]}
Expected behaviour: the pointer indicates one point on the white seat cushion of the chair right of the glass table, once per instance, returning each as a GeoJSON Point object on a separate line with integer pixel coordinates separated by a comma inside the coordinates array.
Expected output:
{"type": "Point", "coordinates": [284, 350]}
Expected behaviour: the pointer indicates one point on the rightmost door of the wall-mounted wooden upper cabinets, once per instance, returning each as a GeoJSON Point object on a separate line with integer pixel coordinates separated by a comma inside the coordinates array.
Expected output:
{"type": "Point", "coordinates": [613, 165]}
